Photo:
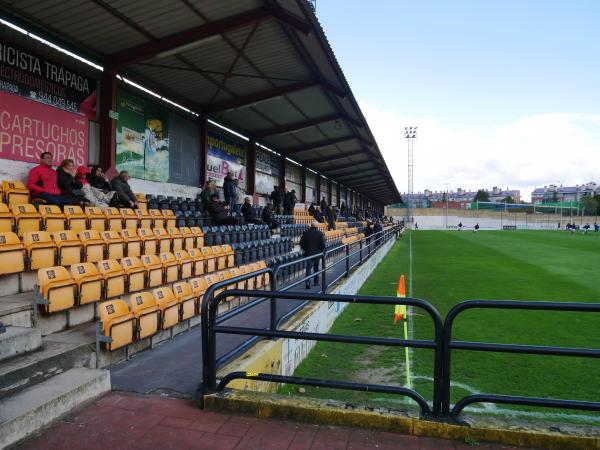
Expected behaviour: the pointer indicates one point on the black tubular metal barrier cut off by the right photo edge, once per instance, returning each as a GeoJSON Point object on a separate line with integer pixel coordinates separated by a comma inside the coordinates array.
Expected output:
{"type": "Point", "coordinates": [450, 345]}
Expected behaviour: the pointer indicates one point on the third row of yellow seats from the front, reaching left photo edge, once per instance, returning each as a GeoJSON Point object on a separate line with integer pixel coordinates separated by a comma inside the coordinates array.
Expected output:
{"type": "Point", "coordinates": [40, 249]}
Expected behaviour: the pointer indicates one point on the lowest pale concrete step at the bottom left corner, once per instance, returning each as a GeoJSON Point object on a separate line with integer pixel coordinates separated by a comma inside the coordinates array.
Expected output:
{"type": "Point", "coordinates": [26, 412]}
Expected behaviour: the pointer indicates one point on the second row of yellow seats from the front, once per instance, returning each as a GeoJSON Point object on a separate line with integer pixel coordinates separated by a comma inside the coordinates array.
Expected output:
{"type": "Point", "coordinates": [85, 283]}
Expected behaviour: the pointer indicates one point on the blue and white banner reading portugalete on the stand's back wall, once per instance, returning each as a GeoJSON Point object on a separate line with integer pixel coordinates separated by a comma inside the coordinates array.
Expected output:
{"type": "Point", "coordinates": [225, 155]}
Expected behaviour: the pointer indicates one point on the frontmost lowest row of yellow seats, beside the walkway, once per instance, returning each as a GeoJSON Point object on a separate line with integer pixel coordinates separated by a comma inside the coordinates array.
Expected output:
{"type": "Point", "coordinates": [162, 308]}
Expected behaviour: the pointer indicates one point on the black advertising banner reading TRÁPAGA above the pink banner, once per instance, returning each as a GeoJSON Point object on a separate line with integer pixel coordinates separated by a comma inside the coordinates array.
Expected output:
{"type": "Point", "coordinates": [29, 75]}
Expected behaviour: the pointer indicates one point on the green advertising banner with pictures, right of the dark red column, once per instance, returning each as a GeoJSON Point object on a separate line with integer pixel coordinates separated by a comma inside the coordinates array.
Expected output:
{"type": "Point", "coordinates": [142, 138]}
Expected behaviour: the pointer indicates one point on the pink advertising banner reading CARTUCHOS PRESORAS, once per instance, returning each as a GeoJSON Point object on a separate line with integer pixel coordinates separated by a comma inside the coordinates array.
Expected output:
{"type": "Point", "coordinates": [28, 128]}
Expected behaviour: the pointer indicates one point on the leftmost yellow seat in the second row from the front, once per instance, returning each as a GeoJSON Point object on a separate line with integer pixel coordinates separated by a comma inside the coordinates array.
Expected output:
{"type": "Point", "coordinates": [57, 288]}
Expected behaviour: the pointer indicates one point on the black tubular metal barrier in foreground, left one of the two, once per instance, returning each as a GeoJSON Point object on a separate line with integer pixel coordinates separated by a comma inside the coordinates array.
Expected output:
{"type": "Point", "coordinates": [210, 328]}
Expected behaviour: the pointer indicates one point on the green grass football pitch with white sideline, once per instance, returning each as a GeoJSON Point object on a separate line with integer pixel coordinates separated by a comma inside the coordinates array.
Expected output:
{"type": "Point", "coordinates": [451, 266]}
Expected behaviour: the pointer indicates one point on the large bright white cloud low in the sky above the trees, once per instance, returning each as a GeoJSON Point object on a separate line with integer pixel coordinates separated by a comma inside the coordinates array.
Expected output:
{"type": "Point", "coordinates": [527, 153]}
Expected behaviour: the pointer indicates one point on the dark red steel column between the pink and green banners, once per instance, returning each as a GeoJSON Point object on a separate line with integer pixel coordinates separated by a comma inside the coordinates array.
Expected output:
{"type": "Point", "coordinates": [108, 126]}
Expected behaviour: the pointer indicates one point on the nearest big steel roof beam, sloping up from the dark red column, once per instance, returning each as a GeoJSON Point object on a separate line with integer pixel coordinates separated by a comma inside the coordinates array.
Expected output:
{"type": "Point", "coordinates": [171, 42]}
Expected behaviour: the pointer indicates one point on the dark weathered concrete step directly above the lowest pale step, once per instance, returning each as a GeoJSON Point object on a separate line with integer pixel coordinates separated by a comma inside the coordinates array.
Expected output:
{"type": "Point", "coordinates": [58, 353]}
